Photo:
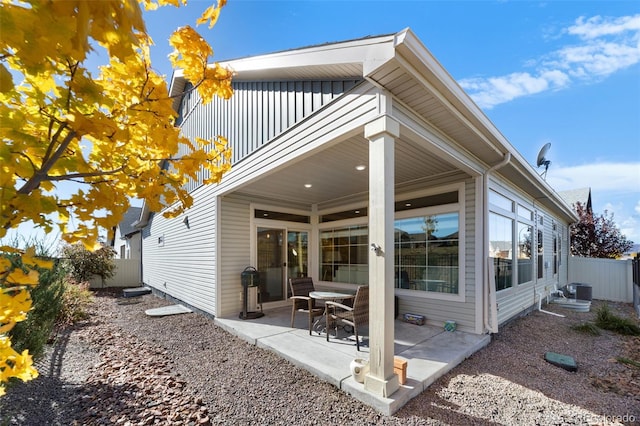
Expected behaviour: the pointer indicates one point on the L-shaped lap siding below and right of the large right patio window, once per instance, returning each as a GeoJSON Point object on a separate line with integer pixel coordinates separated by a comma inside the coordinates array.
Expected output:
{"type": "Point", "coordinates": [464, 313]}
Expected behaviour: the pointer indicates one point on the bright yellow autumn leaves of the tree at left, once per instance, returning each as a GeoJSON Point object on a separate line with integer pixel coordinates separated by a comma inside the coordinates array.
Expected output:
{"type": "Point", "coordinates": [110, 131]}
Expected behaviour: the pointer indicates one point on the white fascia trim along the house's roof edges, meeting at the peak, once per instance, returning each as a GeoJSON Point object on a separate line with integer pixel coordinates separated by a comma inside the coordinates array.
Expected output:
{"type": "Point", "coordinates": [373, 53]}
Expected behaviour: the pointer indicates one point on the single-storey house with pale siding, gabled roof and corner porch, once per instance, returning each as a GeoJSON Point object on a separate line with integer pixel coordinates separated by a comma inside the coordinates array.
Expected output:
{"type": "Point", "coordinates": [361, 162]}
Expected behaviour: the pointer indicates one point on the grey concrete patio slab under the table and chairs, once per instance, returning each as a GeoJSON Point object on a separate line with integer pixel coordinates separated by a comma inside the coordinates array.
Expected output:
{"type": "Point", "coordinates": [429, 350]}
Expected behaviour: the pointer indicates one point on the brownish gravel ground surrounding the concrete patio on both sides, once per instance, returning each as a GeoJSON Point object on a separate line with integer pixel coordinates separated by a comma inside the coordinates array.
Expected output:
{"type": "Point", "coordinates": [123, 367]}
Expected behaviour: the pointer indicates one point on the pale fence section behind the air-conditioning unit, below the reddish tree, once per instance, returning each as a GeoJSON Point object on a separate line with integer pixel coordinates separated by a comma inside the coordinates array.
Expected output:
{"type": "Point", "coordinates": [609, 279]}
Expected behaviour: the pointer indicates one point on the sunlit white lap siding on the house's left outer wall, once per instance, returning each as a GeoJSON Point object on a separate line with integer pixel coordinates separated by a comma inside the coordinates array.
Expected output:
{"type": "Point", "coordinates": [184, 265]}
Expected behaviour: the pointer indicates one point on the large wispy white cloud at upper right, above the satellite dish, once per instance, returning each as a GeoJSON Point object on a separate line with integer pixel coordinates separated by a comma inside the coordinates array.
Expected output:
{"type": "Point", "coordinates": [606, 45]}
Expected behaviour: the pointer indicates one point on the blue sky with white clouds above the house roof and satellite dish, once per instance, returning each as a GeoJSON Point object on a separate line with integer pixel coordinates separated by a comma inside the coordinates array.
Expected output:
{"type": "Point", "coordinates": [559, 72]}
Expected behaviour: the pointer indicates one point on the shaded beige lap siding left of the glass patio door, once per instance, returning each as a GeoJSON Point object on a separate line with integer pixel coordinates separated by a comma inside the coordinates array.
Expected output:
{"type": "Point", "coordinates": [235, 253]}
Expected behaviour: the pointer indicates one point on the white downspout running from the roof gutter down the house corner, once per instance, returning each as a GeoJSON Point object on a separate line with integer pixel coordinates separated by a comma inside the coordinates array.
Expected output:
{"type": "Point", "coordinates": [490, 321]}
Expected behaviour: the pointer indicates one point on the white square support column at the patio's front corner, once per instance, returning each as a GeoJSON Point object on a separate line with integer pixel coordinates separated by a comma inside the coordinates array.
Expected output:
{"type": "Point", "coordinates": [381, 133]}
